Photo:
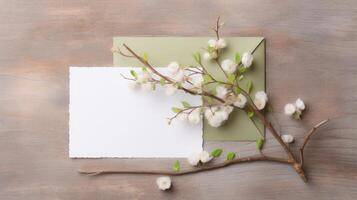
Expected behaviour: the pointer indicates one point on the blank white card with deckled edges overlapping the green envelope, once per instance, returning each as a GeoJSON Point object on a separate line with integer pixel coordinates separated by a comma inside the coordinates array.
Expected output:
{"type": "Point", "coordinates": [108, 119]}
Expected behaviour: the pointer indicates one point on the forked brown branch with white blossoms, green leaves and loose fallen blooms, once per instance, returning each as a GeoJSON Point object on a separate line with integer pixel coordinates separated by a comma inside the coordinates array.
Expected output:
{"type": "Point", "coordinates": [228, 95]}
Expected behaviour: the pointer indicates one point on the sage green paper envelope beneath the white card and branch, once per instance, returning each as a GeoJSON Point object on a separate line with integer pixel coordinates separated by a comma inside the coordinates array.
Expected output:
{"type": "Point", "coordinates": [163, 50]}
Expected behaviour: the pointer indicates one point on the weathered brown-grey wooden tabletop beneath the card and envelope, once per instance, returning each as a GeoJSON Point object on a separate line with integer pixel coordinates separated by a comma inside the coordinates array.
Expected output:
{"type": "Point", "coordinates": [311, 53]}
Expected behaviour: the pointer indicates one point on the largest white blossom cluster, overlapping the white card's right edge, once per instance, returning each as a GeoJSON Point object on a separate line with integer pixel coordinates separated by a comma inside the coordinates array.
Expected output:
{"type": "Point", "coordinates": [217, 115]}
